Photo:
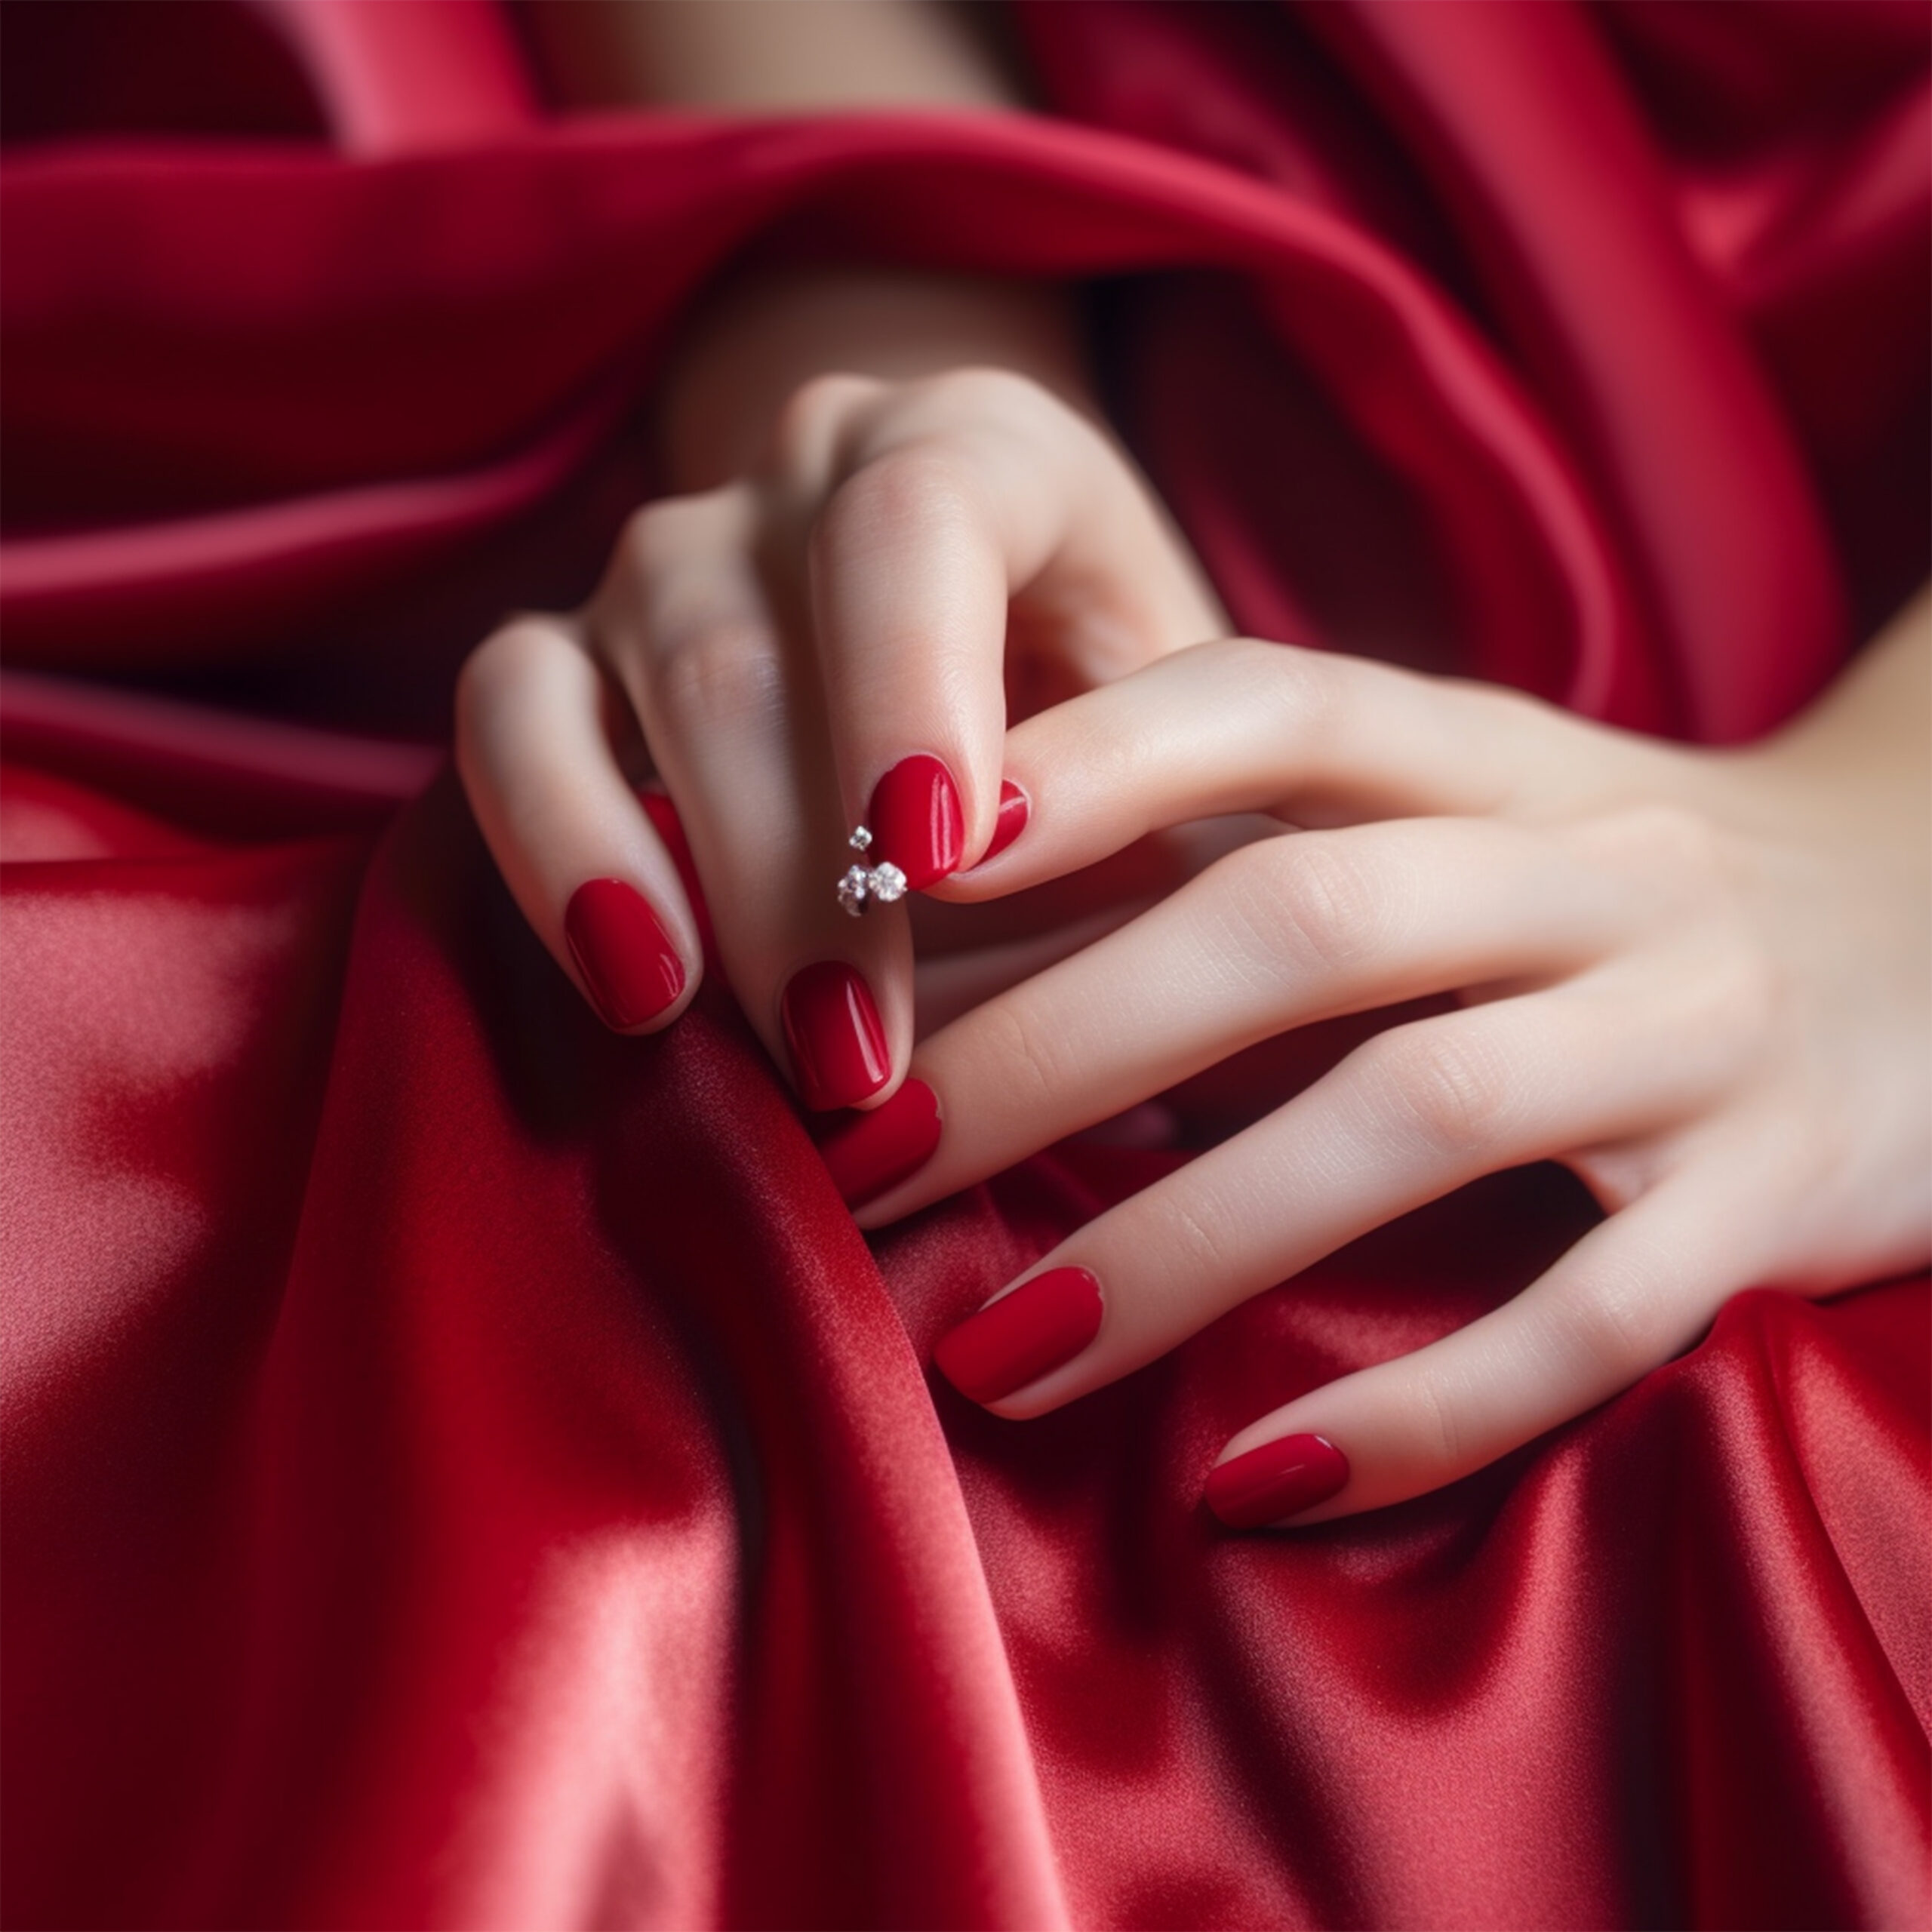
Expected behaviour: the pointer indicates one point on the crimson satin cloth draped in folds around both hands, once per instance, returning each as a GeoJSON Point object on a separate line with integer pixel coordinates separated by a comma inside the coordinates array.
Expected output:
{"type": "Point", "coordinates": [465, 1469]}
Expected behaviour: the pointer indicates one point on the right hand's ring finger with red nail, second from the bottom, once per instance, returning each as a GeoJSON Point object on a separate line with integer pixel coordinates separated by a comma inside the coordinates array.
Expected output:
{"type": "Point", "coordinates": [1406, 1120]}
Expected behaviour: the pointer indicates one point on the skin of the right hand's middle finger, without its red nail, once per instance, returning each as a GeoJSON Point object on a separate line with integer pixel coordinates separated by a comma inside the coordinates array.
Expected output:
{"type": "Point", "coordinates": [1280, 934]}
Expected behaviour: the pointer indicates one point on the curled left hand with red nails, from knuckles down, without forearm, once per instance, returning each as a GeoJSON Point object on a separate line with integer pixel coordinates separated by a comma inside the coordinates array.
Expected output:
{"type": "Point", "coordinates": [824, 642]}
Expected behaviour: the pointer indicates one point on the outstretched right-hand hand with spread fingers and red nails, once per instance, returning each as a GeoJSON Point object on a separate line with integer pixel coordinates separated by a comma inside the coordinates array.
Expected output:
{"type": "Point", "coordinates": [1695, 979]}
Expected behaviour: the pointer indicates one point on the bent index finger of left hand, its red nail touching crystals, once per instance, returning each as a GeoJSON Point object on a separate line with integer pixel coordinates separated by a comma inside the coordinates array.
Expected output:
{"type": "Point", "coordinates": [955, 503]}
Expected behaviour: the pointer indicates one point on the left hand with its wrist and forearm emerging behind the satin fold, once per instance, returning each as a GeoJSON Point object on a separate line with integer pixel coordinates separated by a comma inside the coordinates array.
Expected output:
{"type": "Point", "coordinates": [818, 629]}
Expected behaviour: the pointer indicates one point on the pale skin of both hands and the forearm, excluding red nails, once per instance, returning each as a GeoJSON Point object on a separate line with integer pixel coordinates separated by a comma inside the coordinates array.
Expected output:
{"type": "Point", "coordinates": [1697, 979]}
